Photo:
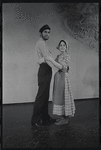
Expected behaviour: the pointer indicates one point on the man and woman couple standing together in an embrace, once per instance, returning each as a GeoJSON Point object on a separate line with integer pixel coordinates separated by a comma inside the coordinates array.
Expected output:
{"type": "Point", "coordinates": [63, 103]}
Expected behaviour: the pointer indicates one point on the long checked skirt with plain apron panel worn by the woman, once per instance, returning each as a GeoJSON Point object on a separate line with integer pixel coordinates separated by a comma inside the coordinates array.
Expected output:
{"type": "Point", "coordinates": [63, 102]}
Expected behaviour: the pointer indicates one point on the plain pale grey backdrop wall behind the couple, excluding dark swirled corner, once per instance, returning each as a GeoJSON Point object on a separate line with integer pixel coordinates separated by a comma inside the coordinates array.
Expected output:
{"type": "Point", "coordinates": [21, 23]}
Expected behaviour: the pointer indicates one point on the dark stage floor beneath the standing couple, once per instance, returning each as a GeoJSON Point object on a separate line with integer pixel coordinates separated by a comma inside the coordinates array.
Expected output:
{"type": "Point", "coordinates": [81, 132]}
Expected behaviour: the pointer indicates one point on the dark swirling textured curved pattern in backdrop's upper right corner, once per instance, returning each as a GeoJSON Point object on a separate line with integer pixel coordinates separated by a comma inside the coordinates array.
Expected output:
{"type": "Point", "coordinates": [82, 22]}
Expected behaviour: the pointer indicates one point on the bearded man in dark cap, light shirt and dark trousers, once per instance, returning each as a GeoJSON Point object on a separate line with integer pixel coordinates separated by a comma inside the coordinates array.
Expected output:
{"type": "Point", "coordinates": [40, 115]}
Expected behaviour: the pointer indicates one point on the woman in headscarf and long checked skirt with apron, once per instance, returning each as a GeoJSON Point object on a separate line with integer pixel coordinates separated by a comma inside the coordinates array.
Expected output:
{"type": "Point", "coordinates": [63, 103]}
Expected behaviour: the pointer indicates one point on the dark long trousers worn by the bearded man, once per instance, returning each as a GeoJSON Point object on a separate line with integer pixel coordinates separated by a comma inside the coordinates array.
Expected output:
{"type": "Point", "coordinates": [40, 109]}
